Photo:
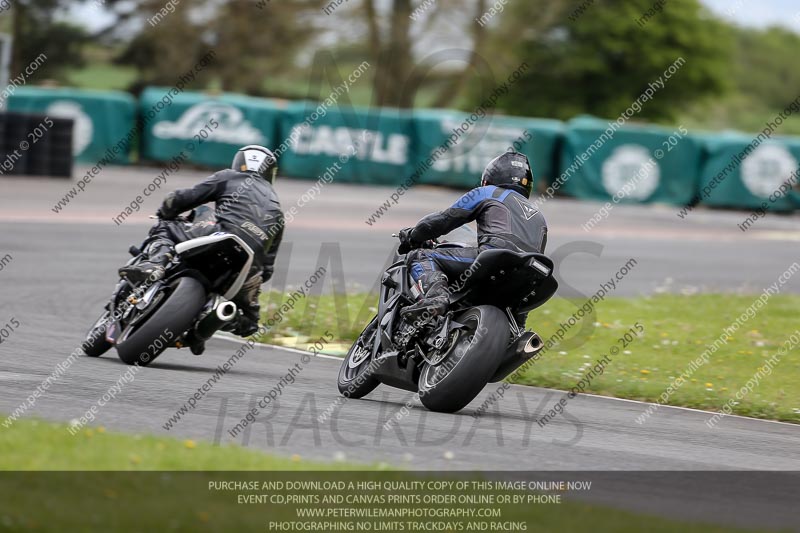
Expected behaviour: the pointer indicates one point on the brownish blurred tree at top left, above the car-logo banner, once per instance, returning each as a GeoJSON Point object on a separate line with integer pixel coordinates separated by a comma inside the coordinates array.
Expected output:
{"type": "Point", "coordinates": [249, 43]}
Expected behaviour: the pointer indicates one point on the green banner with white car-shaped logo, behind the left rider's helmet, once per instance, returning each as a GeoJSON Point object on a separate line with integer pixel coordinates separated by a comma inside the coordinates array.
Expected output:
{"type": "Point", "coordinates": [206, 129]}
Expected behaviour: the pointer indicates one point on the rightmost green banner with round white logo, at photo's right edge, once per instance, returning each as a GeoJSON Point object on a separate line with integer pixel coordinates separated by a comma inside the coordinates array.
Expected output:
{"type": "Point", "coordinates": [742, 171]}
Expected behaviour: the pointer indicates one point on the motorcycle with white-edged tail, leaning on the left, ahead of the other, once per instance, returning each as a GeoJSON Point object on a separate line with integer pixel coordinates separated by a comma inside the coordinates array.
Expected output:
{"type": "Point", "coordinates": [182, 308]}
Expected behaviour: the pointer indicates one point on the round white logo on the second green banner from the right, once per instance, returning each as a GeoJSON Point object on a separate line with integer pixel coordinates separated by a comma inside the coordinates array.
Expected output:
{"type": "Point", "coordinates": [631, 172]}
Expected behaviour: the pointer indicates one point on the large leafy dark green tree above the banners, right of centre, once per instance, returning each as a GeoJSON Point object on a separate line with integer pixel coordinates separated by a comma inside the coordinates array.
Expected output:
{"type": "Point", "coordinates": [603, 59]}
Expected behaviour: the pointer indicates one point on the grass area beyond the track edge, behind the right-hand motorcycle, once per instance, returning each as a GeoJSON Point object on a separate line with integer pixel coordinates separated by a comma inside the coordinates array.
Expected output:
{"type": "Point", "coordinates": [677, 330]}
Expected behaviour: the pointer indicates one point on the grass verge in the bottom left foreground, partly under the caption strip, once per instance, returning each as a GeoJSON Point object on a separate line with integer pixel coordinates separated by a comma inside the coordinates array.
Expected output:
{"type": "Point", "coordinates": [64, 499]}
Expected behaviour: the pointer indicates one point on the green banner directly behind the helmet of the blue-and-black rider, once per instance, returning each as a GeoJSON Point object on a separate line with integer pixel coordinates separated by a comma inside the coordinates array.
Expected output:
{"type": "Point", "coordinates": [453, 148]}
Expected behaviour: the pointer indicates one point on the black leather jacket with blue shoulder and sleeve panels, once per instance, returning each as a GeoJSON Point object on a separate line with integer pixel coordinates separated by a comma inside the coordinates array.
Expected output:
{"type": "Point", "coordinates": [504, 217]}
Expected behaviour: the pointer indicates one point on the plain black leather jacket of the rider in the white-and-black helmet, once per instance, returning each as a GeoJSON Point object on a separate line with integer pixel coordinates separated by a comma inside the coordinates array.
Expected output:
{"type": "Point", "coordinates": [245, 204]}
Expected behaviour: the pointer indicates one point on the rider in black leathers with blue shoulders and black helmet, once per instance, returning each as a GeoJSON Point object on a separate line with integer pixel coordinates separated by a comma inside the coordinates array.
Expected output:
{"type": "Point", "coordinates": [504, 217]}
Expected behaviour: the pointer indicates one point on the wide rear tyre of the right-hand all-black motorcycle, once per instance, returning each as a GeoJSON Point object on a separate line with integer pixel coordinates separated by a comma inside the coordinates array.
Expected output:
{"type": "Point", "coordinates": [474, 357]}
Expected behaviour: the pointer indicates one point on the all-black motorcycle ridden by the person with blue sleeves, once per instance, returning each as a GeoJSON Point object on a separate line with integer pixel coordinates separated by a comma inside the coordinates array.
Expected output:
{"type": "Point", "coordinates": [449, 359]}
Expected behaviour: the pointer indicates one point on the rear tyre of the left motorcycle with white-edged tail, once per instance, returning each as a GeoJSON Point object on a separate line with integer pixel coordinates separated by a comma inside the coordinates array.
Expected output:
{"type": "Point", "coordinates": [164, 325]}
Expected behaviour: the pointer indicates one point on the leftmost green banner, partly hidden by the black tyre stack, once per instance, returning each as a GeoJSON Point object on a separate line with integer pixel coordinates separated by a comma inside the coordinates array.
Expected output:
{"type": "Point", "coordinates": [104, 122]}
